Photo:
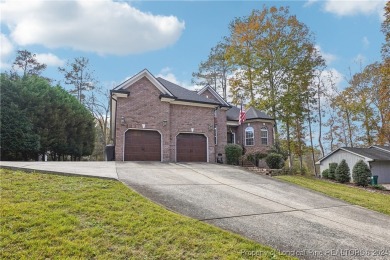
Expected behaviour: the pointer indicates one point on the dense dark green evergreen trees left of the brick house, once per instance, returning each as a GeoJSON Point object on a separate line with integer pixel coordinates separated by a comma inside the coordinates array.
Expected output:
{"type": "Point", "coordinates": [38, 118]}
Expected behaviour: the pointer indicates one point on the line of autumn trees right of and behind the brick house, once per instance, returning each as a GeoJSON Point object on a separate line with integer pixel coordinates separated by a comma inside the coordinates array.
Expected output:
{"type": "Point", "coordinates": [270, 61]}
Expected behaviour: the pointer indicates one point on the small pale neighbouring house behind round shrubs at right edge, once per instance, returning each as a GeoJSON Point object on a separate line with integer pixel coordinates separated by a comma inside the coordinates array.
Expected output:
{"type": "Point", "coordinates": [376, 157]}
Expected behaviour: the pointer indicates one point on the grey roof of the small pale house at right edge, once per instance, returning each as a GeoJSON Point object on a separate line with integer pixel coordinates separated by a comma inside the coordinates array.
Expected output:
{"type": "Point", "coordinates": [372, 153]}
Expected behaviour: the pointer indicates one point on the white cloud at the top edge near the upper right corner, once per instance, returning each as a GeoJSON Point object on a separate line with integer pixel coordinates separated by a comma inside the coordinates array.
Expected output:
{"type": "Point", "coordinates": [354, 7]}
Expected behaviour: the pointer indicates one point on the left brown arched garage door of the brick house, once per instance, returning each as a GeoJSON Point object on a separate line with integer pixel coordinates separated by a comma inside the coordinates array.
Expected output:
{"type": "Point", "coordinates": [142, 145]}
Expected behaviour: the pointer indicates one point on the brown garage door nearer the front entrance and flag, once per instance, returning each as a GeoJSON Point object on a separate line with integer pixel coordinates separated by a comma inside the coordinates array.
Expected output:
{"type": "Point", "coordinates": [191, 148]}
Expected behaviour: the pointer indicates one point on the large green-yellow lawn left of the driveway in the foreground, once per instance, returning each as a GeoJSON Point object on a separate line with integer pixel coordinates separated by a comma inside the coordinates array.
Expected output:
{"type": "Point", "coordinates": [51, 216]}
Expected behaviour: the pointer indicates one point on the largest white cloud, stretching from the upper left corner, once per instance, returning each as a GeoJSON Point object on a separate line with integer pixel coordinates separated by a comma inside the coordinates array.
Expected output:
{"type": "Point", "coordinates": [104, 27]}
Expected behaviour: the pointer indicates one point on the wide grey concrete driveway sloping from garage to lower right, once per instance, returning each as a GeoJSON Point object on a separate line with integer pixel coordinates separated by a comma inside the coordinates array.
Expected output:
{"type": "Point", "coordinates": [291, 219]}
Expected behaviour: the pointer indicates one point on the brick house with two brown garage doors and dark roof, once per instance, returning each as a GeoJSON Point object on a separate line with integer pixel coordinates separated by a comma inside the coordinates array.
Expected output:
{"type": "Point", "coordinates": [156, 120]}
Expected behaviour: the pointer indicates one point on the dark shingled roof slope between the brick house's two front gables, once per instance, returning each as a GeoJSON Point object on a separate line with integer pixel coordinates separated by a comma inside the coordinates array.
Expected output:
{"type": "Point", "coordinates": [184, 94]}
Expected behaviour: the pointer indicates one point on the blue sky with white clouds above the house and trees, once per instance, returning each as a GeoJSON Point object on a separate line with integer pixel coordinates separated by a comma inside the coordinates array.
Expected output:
{"type": "Point", "coordinates": [171, 38]}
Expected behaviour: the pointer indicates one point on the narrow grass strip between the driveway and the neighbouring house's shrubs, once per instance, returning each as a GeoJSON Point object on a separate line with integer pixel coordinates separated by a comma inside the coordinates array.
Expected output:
{"type": "Point", "coordinates": [371, 200]}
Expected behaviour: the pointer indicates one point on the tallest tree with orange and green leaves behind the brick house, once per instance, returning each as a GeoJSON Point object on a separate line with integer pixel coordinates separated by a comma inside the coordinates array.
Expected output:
{"type": "Point", "coordinates": [275, 60]}
